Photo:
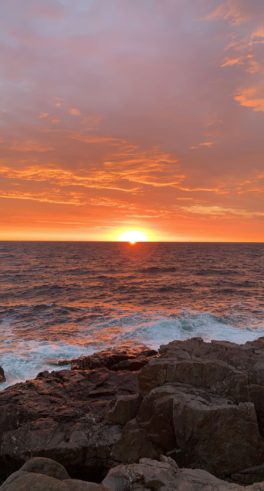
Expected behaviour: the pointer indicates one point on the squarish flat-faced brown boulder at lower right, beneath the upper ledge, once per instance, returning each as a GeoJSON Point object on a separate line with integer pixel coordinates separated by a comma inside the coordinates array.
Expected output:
{"type": "Point", "coordinates": [215, 434]}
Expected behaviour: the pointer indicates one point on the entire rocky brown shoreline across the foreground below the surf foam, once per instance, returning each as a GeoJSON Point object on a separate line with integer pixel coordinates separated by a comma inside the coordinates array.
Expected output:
{"type": "Point", "coordinates": [190, 416]}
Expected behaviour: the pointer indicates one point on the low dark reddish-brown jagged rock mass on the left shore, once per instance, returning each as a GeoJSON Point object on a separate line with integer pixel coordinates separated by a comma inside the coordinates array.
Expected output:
{"type": "Point", "coordinates": [63, 415]}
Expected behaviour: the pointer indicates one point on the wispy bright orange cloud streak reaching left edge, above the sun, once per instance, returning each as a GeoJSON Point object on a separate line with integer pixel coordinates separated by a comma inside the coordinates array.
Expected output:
{"type": "Point", "coordinates": [128, 169]}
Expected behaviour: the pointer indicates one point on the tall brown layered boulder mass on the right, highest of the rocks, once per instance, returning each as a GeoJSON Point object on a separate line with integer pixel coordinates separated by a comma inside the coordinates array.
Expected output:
{"type": "Point", "coordinates": [194, 390]}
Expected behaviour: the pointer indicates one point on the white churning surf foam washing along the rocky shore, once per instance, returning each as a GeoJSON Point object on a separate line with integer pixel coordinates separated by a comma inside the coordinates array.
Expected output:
{"type": "Point", "coordinates": [24, 359]}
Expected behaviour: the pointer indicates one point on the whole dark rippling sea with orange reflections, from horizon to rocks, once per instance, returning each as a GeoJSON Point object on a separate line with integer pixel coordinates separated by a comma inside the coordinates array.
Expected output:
{"type": "Point", "coordinates": [62, 300]}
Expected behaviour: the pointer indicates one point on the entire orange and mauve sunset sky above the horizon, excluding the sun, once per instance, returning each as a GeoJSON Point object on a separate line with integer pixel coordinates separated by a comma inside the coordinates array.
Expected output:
{"type": "Point", "coordinates": [120, 115]}
